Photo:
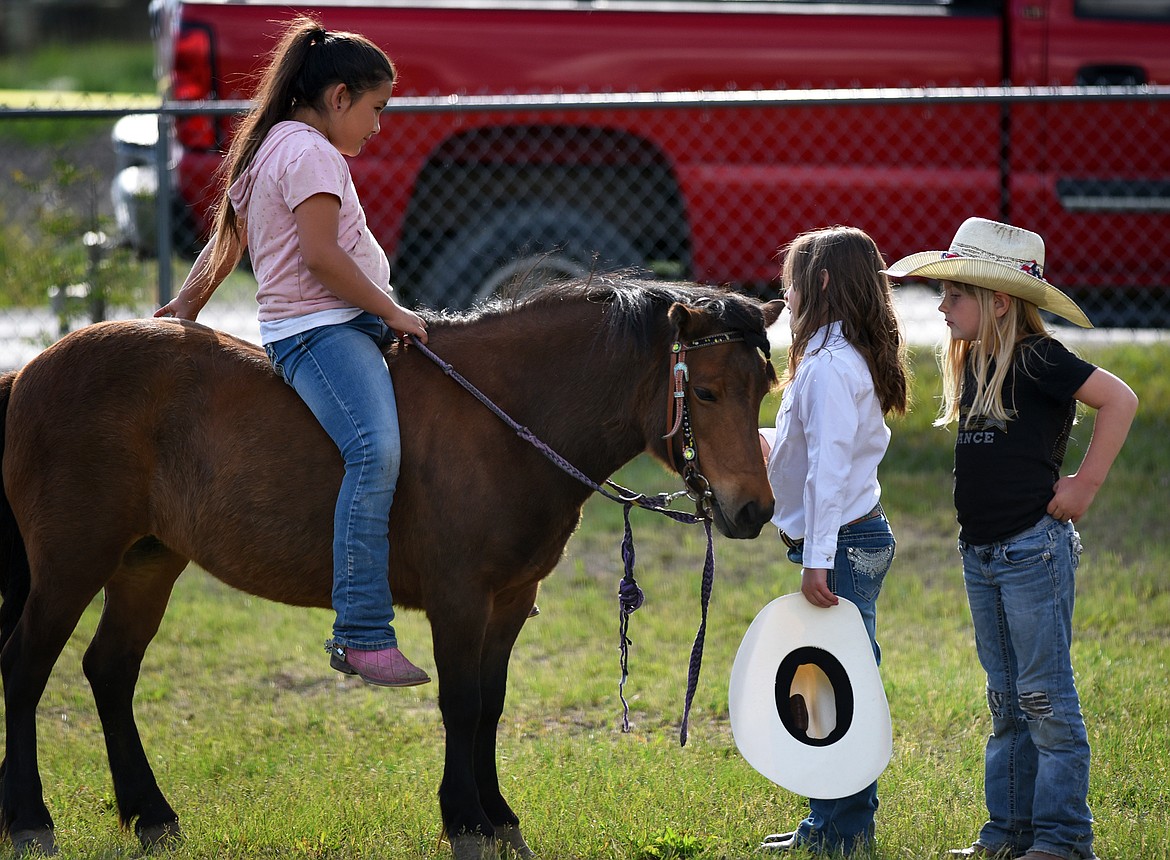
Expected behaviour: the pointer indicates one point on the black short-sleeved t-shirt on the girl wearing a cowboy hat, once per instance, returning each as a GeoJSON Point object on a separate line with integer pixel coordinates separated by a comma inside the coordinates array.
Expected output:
{"type": "Point", "coordinates": [1006, 471]}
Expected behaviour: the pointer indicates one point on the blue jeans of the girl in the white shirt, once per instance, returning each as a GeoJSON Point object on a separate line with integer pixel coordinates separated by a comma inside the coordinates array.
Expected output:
{"type": "Point", "coordinates": [865, 553]}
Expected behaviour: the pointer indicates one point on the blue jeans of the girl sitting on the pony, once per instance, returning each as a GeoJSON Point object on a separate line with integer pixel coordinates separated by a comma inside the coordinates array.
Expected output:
{"type": "Point", "coordinates": [341, 374]}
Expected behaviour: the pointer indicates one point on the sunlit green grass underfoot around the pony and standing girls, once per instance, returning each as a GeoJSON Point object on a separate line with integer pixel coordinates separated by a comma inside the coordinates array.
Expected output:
{"type": "Point", "coordinates": [266, 753]}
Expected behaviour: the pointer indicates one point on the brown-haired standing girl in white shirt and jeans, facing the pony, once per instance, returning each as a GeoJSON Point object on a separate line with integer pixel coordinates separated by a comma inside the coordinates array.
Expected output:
{"type": "Point", "coordinates": [848, 369]}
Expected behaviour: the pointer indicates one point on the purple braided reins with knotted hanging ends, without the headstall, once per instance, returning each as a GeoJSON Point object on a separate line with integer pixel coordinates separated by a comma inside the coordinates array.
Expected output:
{"type": "Point", "coordinates": [630, 595]}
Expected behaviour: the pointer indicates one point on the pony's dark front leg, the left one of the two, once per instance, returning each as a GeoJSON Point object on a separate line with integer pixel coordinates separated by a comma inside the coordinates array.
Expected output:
{"type": "Point", "coordinates": [458, 645]}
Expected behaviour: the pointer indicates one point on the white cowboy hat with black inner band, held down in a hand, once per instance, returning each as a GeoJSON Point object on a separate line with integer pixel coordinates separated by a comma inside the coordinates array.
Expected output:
{"type": "Point", "coordinates": [807, 704]}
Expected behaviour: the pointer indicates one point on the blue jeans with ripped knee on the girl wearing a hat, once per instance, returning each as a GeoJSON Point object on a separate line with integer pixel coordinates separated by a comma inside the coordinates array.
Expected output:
{"type": "Point", "coordinates": [1037, 763]}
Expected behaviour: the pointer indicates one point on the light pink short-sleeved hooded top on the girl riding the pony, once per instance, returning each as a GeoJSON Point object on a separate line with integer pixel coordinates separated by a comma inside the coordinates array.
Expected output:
{"type": "Point", "coordinates": [294, 163]}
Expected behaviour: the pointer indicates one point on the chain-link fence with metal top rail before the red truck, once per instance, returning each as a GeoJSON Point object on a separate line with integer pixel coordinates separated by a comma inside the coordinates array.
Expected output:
{"type": "Point", "coordinates": [471, 195]}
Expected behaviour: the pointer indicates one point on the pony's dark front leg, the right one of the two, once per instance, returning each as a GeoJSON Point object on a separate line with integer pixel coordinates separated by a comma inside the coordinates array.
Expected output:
{"type": "Point", "coordinates": [503, 631]}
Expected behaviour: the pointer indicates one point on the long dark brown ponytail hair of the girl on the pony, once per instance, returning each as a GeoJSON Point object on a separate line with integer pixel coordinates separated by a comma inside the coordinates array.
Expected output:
{"type": "Point", "coordinates": [307, 61]}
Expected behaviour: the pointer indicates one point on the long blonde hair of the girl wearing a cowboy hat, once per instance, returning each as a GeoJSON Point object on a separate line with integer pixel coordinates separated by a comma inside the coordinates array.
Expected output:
{"type": "Point", "coordinates": [988, 360]}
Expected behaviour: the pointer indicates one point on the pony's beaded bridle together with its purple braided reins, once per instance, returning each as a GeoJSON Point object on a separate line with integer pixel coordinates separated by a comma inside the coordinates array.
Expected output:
{"type": "Point", "coordinates": [630, 595]}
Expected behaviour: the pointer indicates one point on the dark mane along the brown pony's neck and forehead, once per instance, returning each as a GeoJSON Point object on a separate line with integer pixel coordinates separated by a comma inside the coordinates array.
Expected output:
{"type": "Point", "coordinates": [636, 305]}
